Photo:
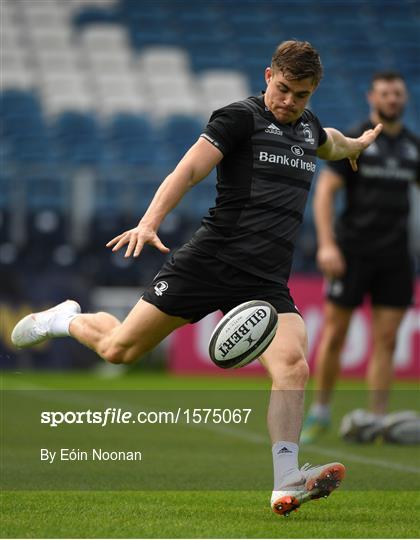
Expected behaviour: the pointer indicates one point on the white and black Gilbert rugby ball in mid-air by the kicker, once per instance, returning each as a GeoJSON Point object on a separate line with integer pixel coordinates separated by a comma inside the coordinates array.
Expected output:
{"type": "Point", "coordinates": [243, 334]}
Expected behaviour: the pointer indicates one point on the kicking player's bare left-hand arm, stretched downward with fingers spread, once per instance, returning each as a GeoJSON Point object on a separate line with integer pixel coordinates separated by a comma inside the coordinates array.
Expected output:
{"type": "Point", "coordinates": [197, 163]}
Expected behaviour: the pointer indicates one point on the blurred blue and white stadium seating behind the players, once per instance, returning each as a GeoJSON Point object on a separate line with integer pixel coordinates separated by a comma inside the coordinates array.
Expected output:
{"type": "Point", "coordinates": [100, 99]}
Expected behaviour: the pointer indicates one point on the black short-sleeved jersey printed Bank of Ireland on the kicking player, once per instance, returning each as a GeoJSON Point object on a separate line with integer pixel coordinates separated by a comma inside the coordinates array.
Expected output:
{"type": "Point", "coordinates": [263, 182]}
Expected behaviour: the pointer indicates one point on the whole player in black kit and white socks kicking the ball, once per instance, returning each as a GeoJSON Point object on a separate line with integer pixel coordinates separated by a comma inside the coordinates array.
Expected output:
{"type": "Point", "coordinates": [265, 149]}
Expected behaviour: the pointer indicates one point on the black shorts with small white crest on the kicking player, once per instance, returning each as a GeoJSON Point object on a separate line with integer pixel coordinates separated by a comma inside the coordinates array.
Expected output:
{"type": "Point", "coordinates": [192, 284]}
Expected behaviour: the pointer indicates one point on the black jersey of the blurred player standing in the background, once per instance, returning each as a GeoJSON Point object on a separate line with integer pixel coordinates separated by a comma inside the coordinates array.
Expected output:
{"type": "Point", "coordinates": [375, 217]}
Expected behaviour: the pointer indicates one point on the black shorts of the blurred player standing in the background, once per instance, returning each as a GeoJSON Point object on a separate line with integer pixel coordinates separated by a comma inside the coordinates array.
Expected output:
{"type": "Point", "coordinates": [389, 282]}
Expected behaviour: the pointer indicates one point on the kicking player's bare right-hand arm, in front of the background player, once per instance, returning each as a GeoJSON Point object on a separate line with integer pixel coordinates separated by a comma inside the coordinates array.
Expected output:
{"type": "Point", "coordinates": [338, 146]}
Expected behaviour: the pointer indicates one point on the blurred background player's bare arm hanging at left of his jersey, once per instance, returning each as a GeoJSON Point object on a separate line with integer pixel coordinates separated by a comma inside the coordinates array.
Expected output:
{"type": "Point", "coordinates": [329, 257]}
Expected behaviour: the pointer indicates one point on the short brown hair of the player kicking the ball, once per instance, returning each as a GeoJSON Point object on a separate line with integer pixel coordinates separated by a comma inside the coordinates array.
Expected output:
{"type": "Point", "coordinates": [297, 60]}
